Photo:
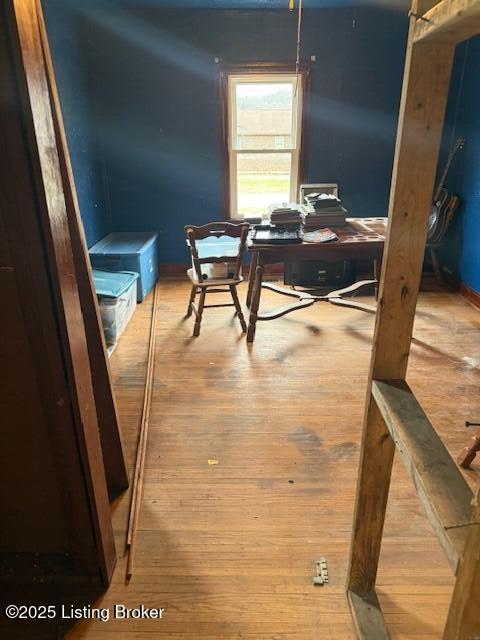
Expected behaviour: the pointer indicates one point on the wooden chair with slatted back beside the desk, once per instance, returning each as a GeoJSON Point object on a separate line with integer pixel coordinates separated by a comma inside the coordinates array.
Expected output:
{"type": "Point", "coordinates": [203, 286]}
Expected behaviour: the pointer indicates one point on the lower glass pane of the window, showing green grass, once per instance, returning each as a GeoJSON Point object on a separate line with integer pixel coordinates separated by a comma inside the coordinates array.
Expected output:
{"type": "Point", "coordinates": [263, 179]}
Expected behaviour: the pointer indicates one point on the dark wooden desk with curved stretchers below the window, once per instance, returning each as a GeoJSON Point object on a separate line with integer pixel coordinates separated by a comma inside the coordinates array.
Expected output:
{"type": "Point", "coordinates": [361, 238]}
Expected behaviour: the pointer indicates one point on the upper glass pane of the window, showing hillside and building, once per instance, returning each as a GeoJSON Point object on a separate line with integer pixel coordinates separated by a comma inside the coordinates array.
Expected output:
{"type": "Point", "coordinates": [264, 115]}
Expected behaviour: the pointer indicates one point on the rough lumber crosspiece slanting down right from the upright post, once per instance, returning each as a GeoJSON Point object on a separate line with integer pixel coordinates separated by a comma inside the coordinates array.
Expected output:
{"type": "Point", "coordinates": [440, 485]}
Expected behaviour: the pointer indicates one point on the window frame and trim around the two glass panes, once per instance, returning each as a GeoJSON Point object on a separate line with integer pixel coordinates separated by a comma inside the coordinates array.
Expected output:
{"type": "Point", "coordinates": [262, 78]}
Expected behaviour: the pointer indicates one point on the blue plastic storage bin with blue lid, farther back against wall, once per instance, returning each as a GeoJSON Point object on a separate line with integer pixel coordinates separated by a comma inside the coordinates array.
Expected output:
{"type": "Point", "coordinates": [129, 251]}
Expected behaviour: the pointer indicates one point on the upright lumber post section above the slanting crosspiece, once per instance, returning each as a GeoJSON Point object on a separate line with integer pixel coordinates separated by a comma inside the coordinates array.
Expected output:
{"type": "Point", "coordinates": [422, 110]}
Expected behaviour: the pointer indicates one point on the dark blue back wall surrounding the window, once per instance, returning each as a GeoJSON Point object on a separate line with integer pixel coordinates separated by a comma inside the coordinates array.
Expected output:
{"type": "Point", "coordinates": [153, 103]}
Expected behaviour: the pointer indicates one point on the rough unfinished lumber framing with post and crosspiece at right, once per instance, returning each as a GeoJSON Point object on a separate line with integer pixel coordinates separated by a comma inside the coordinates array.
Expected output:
{"type": "Point", "coordinates": [439, 483]}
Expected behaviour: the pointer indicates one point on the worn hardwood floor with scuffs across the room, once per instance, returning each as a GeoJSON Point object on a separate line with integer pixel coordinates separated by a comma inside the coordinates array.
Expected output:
{"type": "Point", "coordinates": [229, 549]}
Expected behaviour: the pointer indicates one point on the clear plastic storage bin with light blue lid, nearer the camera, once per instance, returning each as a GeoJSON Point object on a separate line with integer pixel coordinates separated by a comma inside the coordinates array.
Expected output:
{"type": "Point", "coordinates": [117, 298]}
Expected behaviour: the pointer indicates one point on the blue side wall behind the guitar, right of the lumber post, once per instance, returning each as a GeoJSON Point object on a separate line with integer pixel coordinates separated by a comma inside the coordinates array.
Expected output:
{"type": "Point", "coordinates": [462, 252]}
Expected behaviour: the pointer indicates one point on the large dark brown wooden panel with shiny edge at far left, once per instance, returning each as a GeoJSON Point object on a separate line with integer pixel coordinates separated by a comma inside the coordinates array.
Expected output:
{"type": "Point", "coordinates": [54, 498]}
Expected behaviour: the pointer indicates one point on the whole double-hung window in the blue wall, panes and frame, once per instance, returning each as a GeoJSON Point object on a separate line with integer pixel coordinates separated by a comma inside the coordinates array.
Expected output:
{"type": "Point", "coordinates": [264, 136]}
